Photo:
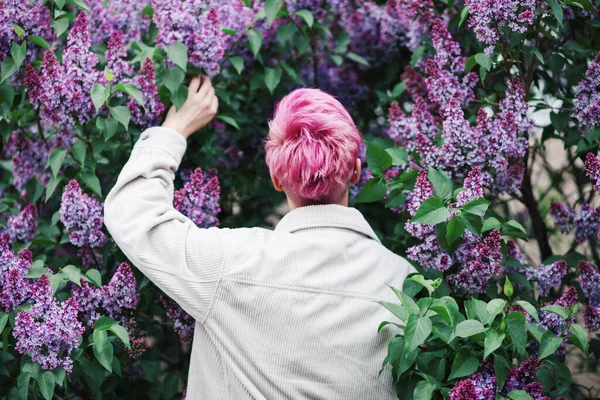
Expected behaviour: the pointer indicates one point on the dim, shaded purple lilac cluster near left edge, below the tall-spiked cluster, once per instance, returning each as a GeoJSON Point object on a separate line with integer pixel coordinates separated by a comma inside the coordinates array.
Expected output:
{"type": "Point", "coordinates": [29, 157]}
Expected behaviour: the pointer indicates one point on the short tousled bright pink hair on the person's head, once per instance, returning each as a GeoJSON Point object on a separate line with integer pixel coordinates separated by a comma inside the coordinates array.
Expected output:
{"type": "Point", "coordinates": [312, 145]}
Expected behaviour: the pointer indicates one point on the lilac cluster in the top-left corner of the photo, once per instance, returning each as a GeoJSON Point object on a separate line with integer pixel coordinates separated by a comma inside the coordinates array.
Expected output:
{"type": "Point", "coordinates": [31, 16]}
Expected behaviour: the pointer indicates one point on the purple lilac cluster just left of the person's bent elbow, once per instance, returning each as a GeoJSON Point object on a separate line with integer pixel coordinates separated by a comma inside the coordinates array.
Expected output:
{"type": "Point", "coordinates": [83, 215]}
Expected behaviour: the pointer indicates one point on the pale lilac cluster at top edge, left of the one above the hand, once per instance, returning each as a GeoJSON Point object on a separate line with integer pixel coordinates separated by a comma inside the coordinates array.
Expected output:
{"type": "Point", "coordinates": [124, 16]}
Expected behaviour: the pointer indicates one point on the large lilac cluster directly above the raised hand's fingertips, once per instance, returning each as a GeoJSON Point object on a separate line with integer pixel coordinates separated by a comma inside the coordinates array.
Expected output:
{"type": "Point", "coordinates": [184, 22]}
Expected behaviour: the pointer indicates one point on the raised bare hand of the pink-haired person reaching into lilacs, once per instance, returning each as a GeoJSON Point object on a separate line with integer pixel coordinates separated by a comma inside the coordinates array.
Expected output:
{"type": "Point", "coordinates": [197, 111]}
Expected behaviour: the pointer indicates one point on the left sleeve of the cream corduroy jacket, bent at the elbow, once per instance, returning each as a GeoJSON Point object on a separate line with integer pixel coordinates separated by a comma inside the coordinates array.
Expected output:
{"type": "Point", "coordinates": [181, 259]}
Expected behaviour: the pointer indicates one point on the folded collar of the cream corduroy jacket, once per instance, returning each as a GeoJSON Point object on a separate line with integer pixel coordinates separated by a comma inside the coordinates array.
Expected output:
{"type": "Point", "coordinates": [326, 216]}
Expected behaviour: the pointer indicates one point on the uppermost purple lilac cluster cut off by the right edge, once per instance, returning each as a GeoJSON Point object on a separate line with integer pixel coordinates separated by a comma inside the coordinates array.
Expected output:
{"type": "Point", "coordinates": [587, 99]}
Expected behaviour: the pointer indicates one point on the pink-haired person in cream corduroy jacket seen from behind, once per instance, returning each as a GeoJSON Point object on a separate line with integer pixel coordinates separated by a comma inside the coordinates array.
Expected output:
{"type": "Point", "coordinates": [285, 314]}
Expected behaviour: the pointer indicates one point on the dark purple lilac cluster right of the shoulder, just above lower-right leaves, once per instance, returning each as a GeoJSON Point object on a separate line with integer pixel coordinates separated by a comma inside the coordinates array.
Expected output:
{"type": "Point", "coordinates": [477, 263]}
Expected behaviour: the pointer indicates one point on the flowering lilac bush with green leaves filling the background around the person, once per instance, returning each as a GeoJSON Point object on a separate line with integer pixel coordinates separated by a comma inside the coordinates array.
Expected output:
{"type": "Point", "coordinates": [481, 120]}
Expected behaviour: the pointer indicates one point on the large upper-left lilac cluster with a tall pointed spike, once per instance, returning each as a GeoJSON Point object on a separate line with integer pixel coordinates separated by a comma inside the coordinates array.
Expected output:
{"type": "Point", "coordinates": [67, 86]}
